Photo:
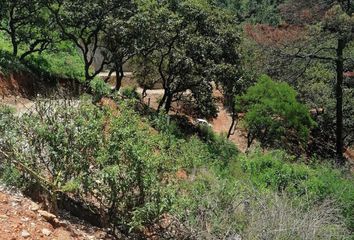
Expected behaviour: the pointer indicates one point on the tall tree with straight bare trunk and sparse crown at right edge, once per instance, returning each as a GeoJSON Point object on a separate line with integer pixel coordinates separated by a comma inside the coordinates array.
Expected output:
{"type": "Point", "coordinates": [321, 32]}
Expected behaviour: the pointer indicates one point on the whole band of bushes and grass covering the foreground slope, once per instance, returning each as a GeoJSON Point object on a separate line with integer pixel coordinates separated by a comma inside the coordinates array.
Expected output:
{"type": "Point", "coordinates": [134, 176]}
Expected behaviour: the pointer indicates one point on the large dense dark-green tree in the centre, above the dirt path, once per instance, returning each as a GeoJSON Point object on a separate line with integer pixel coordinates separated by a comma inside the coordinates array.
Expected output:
{"type": "Point", "coordinates": [191, 50]}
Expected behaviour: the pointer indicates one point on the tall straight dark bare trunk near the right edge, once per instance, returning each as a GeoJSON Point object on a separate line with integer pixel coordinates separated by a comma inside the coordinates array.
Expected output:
{"type": "Point", "coordinates": [339, 102]}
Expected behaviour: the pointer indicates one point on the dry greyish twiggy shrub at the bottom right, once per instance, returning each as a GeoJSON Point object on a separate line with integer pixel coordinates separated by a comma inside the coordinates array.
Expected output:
{"type": "Point", "coordinates": [271, 216]}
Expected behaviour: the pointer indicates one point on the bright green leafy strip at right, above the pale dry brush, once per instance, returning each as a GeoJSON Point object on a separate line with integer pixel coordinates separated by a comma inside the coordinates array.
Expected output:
{"type": "Point", "coordinates": [275, 171]}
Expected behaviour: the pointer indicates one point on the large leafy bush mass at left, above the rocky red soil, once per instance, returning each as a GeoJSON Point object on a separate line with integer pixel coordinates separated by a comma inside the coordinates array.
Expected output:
{"type": "Point", "coordinates": [113, 162]}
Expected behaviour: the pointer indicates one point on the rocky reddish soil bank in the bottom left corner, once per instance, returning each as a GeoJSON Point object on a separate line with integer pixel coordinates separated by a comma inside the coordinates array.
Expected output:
{"type": "Point", "coordinates": [21, 218]}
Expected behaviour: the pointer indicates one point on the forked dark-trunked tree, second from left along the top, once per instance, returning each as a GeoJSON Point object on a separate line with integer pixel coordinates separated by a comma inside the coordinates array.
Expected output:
{"type": "Point", "coordinates": [84, 23]}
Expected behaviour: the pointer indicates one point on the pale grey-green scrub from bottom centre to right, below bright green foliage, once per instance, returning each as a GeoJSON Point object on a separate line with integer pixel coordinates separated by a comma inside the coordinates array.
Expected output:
{"type": "Point", "coordinates": [224, 208]}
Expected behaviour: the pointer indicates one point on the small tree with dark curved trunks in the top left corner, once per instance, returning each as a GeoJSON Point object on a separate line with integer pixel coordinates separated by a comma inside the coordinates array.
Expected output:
{"type": "Point", "coordinates": [27, 24]}
